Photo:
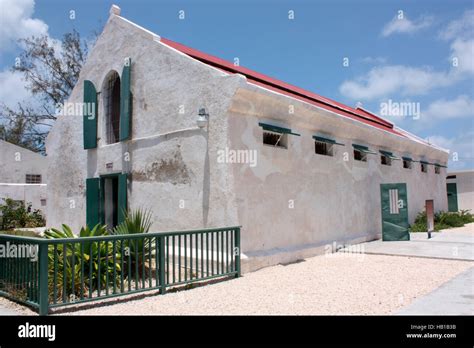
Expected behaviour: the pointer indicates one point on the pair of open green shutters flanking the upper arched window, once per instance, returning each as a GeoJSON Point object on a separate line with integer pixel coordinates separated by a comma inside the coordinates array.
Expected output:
{"type": "Point", "coordinates": [90, 108]}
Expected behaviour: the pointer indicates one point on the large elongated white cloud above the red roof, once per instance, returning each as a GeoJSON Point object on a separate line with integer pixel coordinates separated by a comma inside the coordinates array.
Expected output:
{"type": "Point", "coordinates": [387, 80]}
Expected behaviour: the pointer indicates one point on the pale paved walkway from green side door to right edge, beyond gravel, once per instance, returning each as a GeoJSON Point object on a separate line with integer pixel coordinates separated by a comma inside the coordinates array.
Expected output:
{"type": "Point", "coordinates": [452, 244]}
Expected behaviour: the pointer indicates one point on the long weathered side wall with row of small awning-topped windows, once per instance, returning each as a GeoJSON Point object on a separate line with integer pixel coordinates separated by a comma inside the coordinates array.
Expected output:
{"type": "Point", "coordinates": [334, 200]}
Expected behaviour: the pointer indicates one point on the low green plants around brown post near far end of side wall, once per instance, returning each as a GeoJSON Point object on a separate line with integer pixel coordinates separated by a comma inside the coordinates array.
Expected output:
{"type": "Point", "coordinates": [442, 220]}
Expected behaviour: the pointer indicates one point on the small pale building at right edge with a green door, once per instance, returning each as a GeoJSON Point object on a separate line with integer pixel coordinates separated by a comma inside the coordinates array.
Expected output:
{"type": "Point", "coordinates": [460, 189]}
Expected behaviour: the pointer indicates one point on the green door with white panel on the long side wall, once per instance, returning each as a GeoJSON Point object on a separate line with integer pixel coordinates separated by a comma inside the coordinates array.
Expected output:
{"type": "Point", "coordinates": [394, 212]}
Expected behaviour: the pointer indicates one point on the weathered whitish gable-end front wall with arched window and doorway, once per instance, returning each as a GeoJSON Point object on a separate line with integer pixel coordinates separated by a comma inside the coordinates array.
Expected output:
{"type": "Point", "coordinates": [172, 161]}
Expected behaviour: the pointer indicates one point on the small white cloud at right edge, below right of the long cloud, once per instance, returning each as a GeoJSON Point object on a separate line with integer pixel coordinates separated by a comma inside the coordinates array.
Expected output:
{"type": "Point", "coordinates": [442, 109]}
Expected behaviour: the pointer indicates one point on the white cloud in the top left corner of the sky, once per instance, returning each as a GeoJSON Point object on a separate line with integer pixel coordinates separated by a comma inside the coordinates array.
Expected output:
{"type": "Point", "coordinates": [16, 22]}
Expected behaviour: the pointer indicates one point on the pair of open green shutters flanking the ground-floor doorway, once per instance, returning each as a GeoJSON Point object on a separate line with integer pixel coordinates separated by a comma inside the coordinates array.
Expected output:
{"type": "Point", "coordinates": [95, 200]}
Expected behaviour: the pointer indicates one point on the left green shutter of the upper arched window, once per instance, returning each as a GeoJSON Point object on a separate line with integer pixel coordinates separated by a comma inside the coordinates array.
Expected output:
{"type": "Point", "coordinates": [90, 115]}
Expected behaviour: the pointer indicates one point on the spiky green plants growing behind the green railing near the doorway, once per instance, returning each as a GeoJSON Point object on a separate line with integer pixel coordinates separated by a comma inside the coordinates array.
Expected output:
{"type": "Point", "coordinates": [70, 257]}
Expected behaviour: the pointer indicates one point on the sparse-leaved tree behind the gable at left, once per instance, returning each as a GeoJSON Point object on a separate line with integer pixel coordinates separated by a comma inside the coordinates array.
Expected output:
{"type": "Point", "coordinates": [51, 70]}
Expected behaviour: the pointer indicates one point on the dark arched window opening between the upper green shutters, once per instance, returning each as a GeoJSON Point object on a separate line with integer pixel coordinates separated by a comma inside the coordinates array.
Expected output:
{"type": "Point", "coordinates": [112, 107]}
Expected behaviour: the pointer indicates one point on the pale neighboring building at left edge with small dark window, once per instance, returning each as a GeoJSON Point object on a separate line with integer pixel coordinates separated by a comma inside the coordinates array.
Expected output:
{"type": "Point", "coordinates": [23, 175]}
